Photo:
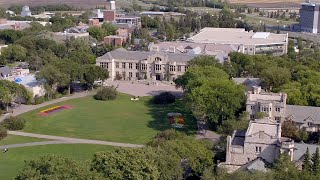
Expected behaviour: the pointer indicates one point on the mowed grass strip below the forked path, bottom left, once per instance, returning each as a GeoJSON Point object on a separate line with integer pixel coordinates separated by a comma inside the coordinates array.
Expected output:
{"type": "Point", "coordinates": [12, 161]}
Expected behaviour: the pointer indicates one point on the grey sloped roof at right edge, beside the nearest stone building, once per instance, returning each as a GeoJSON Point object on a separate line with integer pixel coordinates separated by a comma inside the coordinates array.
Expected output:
{"type": "Point", "coordinates": [301, 148]}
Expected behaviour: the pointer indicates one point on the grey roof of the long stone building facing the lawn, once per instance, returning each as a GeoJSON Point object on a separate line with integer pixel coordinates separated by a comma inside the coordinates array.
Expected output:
{"type": "Point", "coordinates": [122, 54]}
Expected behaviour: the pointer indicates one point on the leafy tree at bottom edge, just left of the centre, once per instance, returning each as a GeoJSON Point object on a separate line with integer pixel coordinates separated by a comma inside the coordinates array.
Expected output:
{"type": "Point", "coordinates": [125, 163]}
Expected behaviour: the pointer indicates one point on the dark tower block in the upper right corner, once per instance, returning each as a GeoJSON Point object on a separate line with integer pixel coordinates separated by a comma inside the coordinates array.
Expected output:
{"type": "Point", "coordinates": [310, 17]}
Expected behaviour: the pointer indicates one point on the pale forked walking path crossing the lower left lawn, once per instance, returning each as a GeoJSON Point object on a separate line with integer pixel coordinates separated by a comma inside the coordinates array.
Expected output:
{"type": "Point", "coordinates": [63, 140]}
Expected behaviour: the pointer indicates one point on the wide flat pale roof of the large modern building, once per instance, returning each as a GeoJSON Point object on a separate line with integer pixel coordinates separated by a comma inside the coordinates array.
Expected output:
{"type": "Point", "coordinates": [237, 36]}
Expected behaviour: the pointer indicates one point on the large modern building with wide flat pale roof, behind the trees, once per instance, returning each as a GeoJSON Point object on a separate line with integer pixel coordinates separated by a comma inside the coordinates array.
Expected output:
{"type": "Point", "coordinates": [251, 43]}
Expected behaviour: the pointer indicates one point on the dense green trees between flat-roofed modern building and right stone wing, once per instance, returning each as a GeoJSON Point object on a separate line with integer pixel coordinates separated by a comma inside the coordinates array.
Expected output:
{"type": "Point", "coordinates": [295, 74]}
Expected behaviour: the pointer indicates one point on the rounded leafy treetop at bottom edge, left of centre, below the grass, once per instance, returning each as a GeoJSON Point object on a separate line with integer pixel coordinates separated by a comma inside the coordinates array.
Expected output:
{"type": "Point", "coordinates": [56, 167]}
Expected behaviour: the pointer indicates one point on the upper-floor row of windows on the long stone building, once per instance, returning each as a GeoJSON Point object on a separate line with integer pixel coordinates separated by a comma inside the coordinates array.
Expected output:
{"type": "Point", "coordinates": [158, 67]}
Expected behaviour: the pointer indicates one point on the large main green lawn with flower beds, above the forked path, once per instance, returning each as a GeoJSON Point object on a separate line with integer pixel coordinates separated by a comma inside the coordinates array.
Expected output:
{"type": "Point", "coordinates": [121, 120]}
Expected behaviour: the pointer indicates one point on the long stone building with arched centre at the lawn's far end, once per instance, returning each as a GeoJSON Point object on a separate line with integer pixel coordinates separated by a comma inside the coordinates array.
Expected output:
{"type": "Point", "coordinates": [135, 65]}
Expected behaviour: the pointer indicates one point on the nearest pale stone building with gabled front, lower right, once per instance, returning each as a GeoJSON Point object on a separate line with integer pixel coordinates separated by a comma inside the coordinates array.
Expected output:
{"type": "Point", "coordinates": [260, 143]}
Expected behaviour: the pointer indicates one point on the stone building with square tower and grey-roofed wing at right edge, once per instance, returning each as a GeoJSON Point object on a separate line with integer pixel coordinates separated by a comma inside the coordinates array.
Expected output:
{"type": "Point", "coordinates": [274, 104]}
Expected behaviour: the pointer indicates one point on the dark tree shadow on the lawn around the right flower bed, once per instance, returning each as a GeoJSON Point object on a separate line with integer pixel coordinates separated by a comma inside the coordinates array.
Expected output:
{"type": "Point", "coordinates": [159, 116]}
